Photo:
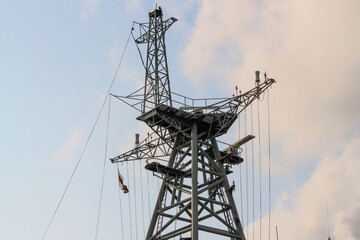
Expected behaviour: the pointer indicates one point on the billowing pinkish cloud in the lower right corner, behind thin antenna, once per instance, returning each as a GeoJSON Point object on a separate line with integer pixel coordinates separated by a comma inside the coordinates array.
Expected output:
{"type": "Point", "coordinates": [334, 181]}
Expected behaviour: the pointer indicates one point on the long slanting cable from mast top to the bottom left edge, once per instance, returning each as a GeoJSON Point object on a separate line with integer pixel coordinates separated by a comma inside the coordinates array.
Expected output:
{"type": "Point", "coordinates": [87, 141]}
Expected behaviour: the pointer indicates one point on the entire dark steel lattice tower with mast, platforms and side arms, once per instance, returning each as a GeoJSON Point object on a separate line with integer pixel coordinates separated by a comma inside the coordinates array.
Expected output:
{"type": "Point", "coordinates": [195, 194]}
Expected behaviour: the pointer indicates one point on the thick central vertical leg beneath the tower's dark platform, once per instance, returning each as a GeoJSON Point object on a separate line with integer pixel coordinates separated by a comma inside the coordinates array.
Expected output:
{"type": "Point", "coordinates": [194, 184]}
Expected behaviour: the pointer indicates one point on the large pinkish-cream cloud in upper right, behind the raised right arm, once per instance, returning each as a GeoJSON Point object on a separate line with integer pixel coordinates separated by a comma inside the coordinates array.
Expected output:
{"type": "Point", "coordinates": [309, 47]}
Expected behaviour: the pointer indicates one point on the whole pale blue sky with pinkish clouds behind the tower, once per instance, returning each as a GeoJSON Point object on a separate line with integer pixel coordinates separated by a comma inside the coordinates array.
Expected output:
{"type": "Point", "coordinates": [58, 58]}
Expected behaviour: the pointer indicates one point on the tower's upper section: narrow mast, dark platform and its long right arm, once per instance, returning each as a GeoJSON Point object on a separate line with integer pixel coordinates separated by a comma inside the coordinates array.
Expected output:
{"type": "Point", "coordinates": [172, 112]}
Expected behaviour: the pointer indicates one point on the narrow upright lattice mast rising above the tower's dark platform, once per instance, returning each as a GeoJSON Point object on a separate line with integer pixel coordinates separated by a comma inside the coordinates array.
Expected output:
{"type": "Point", "coordinates": [157, 84]}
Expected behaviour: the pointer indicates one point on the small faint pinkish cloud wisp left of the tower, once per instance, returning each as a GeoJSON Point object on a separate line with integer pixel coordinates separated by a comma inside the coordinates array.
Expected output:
{"type": "Point", "coordinates": [68, 148]}
